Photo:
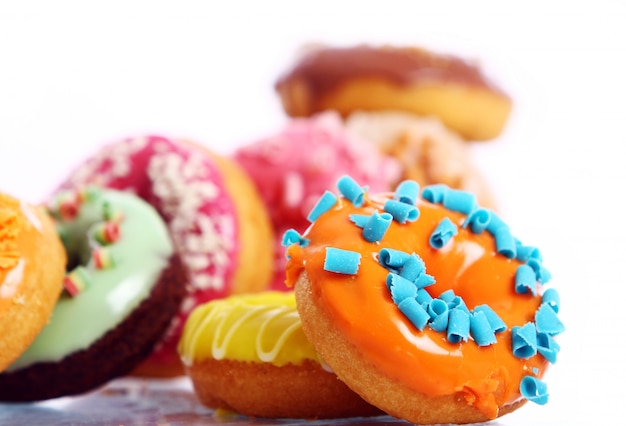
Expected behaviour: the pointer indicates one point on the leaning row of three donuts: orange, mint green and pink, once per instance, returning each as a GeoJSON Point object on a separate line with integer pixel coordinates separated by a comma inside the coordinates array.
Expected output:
{"type": "Point", "coordinates": [98, 281]}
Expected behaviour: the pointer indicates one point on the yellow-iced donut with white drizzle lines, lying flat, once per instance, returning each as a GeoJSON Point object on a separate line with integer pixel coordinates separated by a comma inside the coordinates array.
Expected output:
{"type": "Point", "coordinates": [248, 354]}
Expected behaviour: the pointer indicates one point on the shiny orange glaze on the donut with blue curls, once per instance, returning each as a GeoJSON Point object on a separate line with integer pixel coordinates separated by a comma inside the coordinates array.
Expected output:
{"type": "Point", "coordinates": [424, 361]}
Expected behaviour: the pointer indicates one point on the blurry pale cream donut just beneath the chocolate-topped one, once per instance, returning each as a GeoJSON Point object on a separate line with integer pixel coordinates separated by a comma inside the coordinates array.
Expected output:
{"type": "Point", "coordinates": [427, 151]}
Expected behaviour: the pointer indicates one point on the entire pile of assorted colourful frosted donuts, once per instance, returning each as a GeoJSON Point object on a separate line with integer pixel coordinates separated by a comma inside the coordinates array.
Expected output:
{"type": "Point", "coordinates": [350, 264]}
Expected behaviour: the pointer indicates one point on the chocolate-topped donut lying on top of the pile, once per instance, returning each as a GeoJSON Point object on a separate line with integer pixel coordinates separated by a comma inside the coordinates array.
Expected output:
{"type": "Point", "coordinates": [409, 79]}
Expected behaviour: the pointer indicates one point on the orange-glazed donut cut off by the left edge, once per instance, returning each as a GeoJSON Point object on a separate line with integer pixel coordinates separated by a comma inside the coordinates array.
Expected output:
{"type": "Point", "coordinates": [32, 265]}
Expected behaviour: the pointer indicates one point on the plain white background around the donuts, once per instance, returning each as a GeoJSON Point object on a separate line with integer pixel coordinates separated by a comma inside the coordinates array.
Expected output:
{"type": "Point", "coordinates": [73, 76]}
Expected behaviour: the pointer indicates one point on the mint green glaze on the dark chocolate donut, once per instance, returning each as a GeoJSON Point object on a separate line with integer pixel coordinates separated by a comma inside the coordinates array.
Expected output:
{"type": "Point", "coordinates": [142, 252]}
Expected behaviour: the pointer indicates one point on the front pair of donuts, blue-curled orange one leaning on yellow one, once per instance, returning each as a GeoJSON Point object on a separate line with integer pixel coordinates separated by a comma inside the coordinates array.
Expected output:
{"type": "Point", "coordinates": [421, 302]}
